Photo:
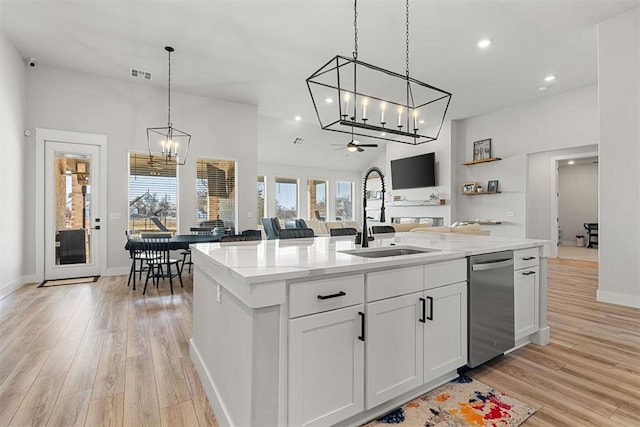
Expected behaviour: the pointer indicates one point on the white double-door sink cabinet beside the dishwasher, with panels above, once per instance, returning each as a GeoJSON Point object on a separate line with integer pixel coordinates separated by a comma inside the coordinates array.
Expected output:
{"type": "Point", "coordinates": [414, 338]}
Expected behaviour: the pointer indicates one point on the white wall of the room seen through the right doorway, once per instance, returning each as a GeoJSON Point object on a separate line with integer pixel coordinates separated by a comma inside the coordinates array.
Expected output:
{"type": "Point", "coordinates": [578, 201]}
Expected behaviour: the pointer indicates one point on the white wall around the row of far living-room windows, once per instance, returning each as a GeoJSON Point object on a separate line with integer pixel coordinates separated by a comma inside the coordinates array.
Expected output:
{"type": "Point", "coordinates": [302, 173]}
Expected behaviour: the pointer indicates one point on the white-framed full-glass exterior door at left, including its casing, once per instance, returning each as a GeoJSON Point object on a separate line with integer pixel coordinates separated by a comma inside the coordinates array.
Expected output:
{"type": "Point", "coordinates": [72, 211]}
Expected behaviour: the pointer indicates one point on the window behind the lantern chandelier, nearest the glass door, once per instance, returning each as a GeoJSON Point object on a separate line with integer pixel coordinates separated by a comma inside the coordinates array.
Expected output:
{"type": "Point", "coordinates": [153, 194]}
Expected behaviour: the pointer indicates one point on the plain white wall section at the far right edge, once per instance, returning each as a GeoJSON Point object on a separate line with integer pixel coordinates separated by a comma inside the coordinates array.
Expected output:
{"type": "Point", "coordinates": [619, 109]}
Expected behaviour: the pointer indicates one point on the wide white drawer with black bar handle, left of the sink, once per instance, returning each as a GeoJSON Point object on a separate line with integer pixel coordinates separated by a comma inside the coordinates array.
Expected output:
{"type": "Point", "coordinates": [327, 294]}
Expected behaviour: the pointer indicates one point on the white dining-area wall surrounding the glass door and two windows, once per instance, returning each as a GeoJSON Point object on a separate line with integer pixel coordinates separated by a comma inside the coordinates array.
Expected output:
{"type": "Point", "coordinates": [122, 110]}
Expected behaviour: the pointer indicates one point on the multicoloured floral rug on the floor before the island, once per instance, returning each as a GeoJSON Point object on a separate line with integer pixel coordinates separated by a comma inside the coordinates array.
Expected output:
{"type": "Point", "coordinates": [461, 402]}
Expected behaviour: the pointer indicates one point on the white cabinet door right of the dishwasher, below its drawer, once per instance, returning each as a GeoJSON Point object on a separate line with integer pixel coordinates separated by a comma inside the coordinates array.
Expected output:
{"type": "Point", "coordinates": [526, 289]}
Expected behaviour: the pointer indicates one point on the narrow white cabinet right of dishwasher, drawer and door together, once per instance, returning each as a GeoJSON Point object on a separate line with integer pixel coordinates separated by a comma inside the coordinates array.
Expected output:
{"type": "Point", "coordinates": [526, 282]}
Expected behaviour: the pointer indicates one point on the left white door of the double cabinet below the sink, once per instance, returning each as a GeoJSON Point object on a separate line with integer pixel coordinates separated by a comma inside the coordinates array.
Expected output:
{"type": "Point", "coordinates": [394, 348]}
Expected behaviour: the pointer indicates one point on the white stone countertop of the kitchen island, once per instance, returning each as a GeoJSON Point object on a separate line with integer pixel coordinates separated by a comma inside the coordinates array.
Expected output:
{"type": "Point", "coordinates": [276, 260]}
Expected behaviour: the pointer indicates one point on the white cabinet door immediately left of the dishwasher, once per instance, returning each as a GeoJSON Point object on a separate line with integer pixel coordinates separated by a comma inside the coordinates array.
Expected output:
{"type": "Point", "coordinates": [445, 333]}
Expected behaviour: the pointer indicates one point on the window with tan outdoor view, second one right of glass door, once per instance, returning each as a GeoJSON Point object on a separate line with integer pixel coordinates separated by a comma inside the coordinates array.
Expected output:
{"type": "Point", "coordinates": [215, 191]}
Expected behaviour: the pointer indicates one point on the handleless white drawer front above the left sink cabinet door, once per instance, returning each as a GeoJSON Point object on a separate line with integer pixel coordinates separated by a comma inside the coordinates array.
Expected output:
{"type": "Point", "coordinates": [391, 283]}
